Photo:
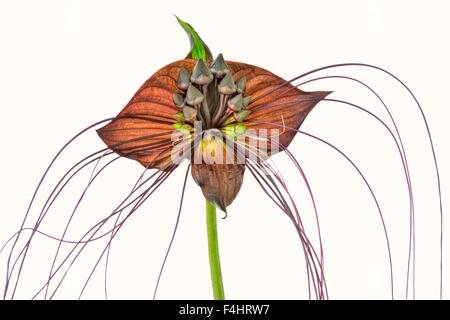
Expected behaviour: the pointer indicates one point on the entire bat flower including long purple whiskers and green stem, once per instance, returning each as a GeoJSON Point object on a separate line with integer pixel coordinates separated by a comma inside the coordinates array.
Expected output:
{"type": "Point", "coordinates": [224, 119]}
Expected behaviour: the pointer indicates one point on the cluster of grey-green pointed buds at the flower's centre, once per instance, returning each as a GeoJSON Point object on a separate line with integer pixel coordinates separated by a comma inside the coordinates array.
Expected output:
{"type": "Point", "coordinates": [210, 95]}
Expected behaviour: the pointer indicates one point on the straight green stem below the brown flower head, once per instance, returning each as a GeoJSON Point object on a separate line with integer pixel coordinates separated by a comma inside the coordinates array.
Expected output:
{"type": "Point", "coordinates": [213, 251]}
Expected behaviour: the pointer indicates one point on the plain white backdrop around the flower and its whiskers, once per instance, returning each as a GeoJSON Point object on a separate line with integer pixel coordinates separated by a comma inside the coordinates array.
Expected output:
{"type": "Point", "coordinates": [67, 64]}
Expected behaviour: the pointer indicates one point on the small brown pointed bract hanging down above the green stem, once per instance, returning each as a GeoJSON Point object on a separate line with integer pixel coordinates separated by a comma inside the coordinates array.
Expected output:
{"type": "Point", "coordinates": [220, 183]}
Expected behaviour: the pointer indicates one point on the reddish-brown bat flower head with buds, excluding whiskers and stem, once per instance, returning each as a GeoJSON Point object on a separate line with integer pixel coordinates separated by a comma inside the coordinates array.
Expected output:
{"type": "Point", "coordinates": [216, 114]}
